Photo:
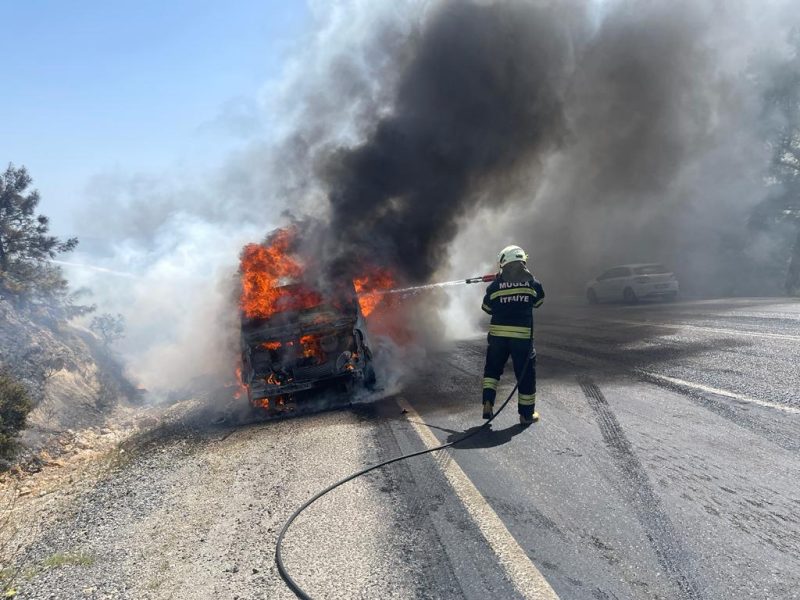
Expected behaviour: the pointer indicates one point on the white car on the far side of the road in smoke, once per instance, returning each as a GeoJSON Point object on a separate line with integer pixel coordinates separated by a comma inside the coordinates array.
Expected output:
{"type": "Point", "coordinates": [632, 282]}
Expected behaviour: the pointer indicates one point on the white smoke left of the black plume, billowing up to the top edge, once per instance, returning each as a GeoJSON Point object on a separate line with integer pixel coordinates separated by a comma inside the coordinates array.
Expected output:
{"type": "Point", "coordinates": [176, 238]}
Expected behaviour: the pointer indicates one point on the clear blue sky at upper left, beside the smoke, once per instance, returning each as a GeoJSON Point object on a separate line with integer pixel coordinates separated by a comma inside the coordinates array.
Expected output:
{"type": "Point", "coordinates": [91, 87]}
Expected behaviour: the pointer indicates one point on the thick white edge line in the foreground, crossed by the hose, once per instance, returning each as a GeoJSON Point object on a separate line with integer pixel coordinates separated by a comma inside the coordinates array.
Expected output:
{"type": "Point", "coordinates": [524, 575]}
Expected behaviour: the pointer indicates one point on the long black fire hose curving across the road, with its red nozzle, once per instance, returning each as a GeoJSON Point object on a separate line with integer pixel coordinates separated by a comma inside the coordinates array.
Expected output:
{"type": "Point", "coordinates": [290, 582]}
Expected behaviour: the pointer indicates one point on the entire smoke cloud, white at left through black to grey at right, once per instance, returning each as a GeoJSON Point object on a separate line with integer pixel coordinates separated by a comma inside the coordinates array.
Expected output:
{"type": "Point", "coordinates": [590, 132]}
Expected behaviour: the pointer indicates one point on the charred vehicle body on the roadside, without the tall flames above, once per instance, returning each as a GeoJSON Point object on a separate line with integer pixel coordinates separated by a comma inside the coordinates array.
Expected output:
{"type": "Point", "coordinates": [312, 342]}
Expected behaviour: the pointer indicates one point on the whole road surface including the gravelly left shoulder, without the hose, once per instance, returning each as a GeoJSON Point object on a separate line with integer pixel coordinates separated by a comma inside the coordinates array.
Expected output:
{"type": "Point", "coordinates": [666, 465]}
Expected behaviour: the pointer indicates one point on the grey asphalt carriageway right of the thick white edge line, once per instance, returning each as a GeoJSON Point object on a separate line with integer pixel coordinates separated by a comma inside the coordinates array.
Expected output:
{"type": "Point", "coordinates": [666, 463]}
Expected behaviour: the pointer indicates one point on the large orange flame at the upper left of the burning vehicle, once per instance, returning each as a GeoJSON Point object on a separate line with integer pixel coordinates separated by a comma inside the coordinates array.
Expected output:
{"type": "Point", "coordinates": [265, 271]}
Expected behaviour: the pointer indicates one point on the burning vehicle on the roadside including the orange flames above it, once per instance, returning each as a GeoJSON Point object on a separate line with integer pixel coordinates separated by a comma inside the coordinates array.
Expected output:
{"type": "Point", "coordinates": [301, 335]}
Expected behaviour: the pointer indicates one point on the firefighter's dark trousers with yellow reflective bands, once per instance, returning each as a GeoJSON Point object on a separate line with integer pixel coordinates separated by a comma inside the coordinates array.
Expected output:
{"type": "Point", "coordinates": [496, 357]}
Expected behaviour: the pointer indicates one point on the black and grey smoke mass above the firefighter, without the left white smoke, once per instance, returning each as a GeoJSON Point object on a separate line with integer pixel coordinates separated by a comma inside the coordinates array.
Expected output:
{"type": "Point", "coordinates": [590, 138]}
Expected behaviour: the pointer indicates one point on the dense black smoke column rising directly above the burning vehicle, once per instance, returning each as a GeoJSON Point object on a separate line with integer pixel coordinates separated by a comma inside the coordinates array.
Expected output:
{"type": "Point", "coordinates": [479, 98]}
